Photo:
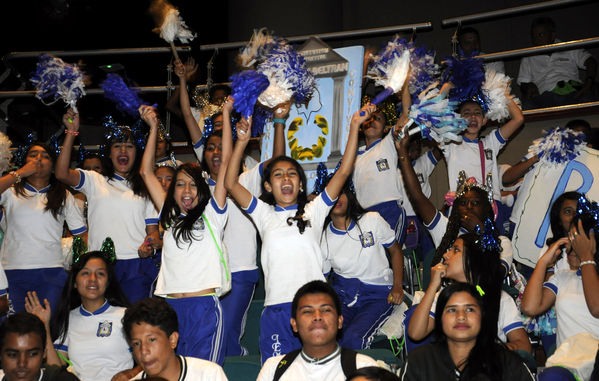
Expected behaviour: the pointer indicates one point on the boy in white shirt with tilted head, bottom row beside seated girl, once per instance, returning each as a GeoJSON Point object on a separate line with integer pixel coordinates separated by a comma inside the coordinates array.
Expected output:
{"type": "Point", "coordinates": [151, 327]}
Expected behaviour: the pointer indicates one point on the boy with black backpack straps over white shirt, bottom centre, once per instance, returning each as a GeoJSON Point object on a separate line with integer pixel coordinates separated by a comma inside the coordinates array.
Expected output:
{"type": "Point", "coordinates": [315, 317]}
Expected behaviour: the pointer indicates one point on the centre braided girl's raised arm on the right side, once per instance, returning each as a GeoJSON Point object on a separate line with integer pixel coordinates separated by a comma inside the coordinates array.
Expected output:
{"type": "Point", "coordinates": [335, 185]}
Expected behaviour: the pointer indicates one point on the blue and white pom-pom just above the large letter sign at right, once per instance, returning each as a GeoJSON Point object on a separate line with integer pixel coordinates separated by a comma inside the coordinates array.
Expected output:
{"type": "Point", "coordinates": [559, 145]}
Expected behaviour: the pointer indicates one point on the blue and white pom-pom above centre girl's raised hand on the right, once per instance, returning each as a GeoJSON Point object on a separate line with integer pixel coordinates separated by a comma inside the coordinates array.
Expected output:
{"type": "Point", "coordinates": [390, 70]}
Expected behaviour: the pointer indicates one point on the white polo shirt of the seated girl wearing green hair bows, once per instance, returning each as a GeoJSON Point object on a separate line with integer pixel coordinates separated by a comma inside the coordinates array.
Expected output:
{"type": "Point", "coordinates": [95, 343]}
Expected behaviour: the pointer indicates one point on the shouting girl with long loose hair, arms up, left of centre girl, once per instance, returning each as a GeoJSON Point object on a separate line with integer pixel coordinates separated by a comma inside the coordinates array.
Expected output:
{"type": "Point", "coordinates": [194, 263]}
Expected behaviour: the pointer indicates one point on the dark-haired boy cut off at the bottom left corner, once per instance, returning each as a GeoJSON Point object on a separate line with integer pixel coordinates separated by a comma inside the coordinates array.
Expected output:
{"type": "Point", "coordinates": [22, 351]}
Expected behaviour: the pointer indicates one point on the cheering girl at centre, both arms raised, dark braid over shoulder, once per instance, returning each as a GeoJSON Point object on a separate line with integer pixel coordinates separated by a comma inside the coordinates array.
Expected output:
{"type": "Point", "coordinates": [290, 228]}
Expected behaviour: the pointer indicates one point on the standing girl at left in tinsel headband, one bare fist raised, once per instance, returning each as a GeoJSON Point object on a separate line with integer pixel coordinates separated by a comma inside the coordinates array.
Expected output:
{"type": "Point", "coordinates": [119, 206]}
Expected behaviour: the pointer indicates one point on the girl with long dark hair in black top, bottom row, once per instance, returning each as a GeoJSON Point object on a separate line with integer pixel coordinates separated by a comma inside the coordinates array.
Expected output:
{"type": "Point", "coordinates": [466, 347]}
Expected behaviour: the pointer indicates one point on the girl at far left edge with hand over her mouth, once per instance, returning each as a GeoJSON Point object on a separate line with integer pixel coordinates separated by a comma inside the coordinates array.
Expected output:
{"type": "Point", "coordinates": [36, 205]}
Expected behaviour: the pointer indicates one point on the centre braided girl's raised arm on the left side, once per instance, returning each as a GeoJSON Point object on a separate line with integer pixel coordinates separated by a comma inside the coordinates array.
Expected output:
{"type": "Point", "coordinates": [232, 185]}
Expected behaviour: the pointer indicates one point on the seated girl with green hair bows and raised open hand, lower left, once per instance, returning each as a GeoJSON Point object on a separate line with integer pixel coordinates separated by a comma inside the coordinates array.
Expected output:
{"type": "Point", "coordinates": [85, 331]}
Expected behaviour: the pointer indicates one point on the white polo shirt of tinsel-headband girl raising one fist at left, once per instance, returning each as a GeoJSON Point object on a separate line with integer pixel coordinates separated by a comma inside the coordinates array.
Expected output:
{"type": "Point", "coordinates": [115, 211]}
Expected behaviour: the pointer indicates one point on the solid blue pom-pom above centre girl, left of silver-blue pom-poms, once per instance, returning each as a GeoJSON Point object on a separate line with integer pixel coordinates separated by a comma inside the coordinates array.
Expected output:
{"type": "Point", "coordinates": [246, 87]}
